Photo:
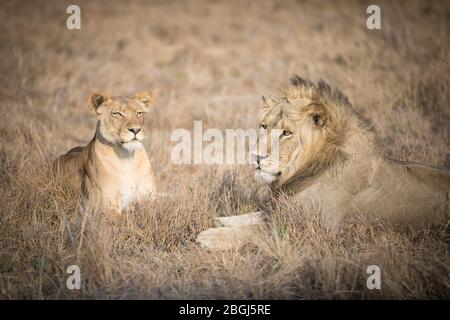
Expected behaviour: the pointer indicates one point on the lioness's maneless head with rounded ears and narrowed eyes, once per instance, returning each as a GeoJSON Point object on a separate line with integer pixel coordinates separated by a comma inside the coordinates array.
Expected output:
{"type": "Point", "coordinates": [121, 119]}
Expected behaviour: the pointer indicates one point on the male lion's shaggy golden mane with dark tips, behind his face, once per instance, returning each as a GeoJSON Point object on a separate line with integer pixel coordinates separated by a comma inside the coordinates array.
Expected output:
{"type": "Point", "coordinates": [332, 151]}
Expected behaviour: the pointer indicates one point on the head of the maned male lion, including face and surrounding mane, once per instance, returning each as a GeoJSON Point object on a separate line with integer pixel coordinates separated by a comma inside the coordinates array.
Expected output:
{"type": "Point", "coordinates": [300, 132]}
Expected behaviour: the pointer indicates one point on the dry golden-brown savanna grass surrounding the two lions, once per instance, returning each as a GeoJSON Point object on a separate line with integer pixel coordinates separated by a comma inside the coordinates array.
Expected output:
{"type": "Point", "coordinates": [211, 61]}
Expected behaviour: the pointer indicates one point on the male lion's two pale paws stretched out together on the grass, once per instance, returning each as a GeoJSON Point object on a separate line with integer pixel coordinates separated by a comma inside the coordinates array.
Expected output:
{"type": "Point", "coordinates": [232, 232]}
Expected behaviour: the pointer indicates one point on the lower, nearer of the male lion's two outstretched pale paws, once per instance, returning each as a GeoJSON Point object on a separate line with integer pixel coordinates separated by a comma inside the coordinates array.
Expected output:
{"type": "Point", "coordinates": [222, 239]}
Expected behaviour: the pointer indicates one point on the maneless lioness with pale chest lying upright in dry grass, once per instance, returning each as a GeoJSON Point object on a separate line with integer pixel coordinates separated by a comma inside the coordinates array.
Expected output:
{"type": "Point", "coordinates": [113, 169]}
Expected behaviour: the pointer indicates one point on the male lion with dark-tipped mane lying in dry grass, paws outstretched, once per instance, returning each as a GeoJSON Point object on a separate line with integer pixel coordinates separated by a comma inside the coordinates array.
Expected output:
{"type": "Point", "coordinates": [329, 158]}
